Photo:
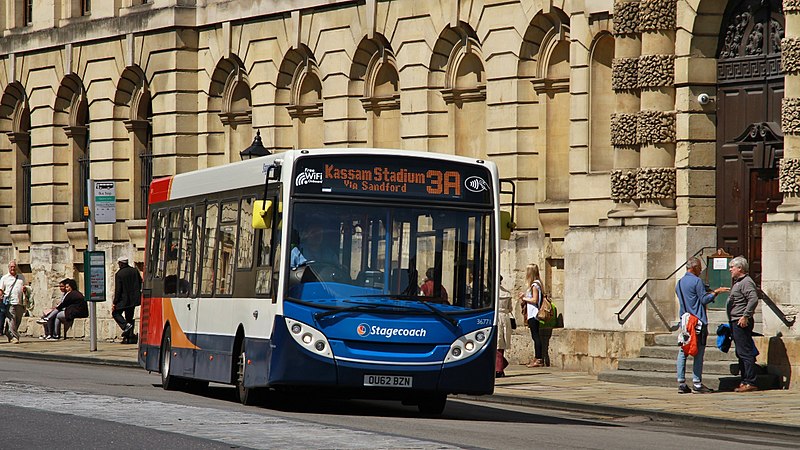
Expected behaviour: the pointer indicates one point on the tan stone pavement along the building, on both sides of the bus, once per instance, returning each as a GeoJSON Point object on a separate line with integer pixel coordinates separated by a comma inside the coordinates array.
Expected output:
{"type": "Point", "coordinates": [775, 411]}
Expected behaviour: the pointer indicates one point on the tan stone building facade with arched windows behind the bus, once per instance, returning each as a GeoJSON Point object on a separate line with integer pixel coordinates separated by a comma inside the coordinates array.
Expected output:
{"type": "Point", "coordinates": [592, 107]}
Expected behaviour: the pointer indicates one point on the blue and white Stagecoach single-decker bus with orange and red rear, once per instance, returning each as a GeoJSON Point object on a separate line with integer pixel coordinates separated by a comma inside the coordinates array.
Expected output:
{"type": "Point", "coordinates": [363, 272]}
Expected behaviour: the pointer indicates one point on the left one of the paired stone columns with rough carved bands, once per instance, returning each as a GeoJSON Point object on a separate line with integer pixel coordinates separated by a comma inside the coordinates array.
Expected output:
{"type": "Point", "coordinates": [624, 81]}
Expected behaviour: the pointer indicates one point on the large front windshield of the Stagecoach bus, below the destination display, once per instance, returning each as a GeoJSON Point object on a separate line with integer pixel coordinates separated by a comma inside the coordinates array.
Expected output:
{"type": "Point", "coordinates": [345, 255]}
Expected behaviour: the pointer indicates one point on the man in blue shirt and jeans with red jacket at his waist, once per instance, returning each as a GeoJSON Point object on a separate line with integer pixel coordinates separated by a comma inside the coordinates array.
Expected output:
{"type": "Point", "coordinates": [693, 298]}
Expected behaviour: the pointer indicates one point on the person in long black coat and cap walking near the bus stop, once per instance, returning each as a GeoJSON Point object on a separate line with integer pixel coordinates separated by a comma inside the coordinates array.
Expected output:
{"type": "Point", "coordinates": [127, 296]}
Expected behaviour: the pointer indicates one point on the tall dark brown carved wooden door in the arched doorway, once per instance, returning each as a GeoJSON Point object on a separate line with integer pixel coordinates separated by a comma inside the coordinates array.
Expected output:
{"type": "Point", "coordinates": [749, 141]}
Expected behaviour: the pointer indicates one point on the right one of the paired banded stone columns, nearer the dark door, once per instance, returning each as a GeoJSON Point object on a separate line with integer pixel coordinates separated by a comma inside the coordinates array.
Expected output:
{"type": "Point", "coordinates": [655, 124]}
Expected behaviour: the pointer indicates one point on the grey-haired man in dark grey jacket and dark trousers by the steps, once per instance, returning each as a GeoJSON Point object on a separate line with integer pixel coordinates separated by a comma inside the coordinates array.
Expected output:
{"type": "Point", "coordinates": [741, 306]}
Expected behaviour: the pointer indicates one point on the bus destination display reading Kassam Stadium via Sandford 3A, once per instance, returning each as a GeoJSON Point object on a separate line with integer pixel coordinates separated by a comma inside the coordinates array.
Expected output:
{"type": "Point", "coordinates": [381, 176]}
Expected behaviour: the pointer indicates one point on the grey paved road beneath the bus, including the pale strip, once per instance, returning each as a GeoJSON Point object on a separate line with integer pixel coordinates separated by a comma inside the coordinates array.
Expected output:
{"type": "Point", "coordinates": [98, 405]}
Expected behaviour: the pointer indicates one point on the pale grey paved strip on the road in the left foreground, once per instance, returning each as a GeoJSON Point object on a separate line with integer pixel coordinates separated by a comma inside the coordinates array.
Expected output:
{"type": "Point", "coordinates": [230, 427]}
